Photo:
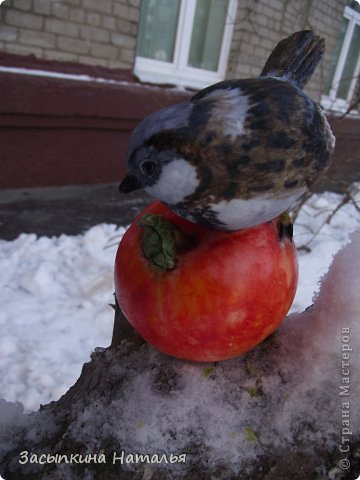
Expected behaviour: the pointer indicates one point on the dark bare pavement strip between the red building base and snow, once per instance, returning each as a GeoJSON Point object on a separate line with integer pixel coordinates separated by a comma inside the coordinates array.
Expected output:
{"type": "Point", "coordinates": [71, 210]}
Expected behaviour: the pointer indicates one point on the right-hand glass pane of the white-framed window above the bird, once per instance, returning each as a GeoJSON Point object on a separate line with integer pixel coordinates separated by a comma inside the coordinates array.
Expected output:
{"type": "Point", "coordinates": [207, 34]}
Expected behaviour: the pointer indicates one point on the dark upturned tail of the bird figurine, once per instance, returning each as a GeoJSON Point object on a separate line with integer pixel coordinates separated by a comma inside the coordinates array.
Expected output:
{"type": "Point", "coordinates": [296, 57]}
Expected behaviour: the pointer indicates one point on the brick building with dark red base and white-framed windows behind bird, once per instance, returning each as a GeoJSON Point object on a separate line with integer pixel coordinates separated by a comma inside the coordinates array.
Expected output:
{"type": "Point", "coordinates": [76, 76]}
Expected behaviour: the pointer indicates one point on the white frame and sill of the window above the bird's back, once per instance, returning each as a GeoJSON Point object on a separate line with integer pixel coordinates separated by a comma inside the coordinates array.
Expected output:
{"type": "Point", "coordinates": [178, 72]}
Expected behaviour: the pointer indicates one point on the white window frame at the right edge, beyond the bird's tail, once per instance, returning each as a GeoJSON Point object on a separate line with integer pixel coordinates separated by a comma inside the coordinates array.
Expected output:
{"type": "Point", "coordinates": [330, 101]}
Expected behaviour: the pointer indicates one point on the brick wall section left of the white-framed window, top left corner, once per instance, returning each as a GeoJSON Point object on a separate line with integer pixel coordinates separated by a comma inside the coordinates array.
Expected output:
{"type": "Point", "coordinates": [93, 32]}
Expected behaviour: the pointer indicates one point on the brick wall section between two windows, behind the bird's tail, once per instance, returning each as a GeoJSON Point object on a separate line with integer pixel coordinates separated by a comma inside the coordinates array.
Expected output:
{"type": "Point", "coordinates": [260, 24]}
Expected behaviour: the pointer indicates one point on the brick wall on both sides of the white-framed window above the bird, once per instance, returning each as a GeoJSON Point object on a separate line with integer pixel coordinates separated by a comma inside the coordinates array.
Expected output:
{"type": "Point", "coordinates": [103, 32]}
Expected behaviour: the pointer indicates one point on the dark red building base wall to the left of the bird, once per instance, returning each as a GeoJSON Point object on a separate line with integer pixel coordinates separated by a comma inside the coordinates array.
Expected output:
{"type": "Point", "coordinates": [56, 131]}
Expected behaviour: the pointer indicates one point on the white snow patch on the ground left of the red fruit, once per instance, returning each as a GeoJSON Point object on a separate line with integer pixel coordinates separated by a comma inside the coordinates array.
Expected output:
{"type": "Point", "coordinates": [54, 296]}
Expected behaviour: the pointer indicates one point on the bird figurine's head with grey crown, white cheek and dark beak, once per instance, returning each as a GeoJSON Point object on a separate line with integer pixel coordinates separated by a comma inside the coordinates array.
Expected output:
{"type": "Point", "coordinates": [152, 159]}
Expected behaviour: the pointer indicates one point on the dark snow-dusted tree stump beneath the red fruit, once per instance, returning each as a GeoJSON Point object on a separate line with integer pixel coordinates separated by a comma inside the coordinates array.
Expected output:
{"type": "Point", "coordinates": [289, 409]}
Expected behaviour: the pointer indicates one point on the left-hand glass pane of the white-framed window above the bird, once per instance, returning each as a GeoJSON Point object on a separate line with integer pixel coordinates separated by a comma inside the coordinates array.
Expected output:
{"type": "Point", "coordinates": [157, 29]}
